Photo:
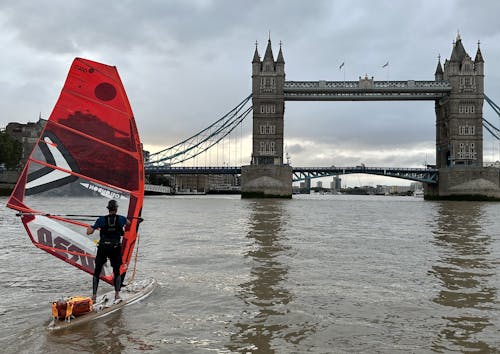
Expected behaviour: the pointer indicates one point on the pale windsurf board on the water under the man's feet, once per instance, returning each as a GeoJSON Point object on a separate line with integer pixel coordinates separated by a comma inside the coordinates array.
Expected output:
{"type": "Point", "coordinates": [105, 304]}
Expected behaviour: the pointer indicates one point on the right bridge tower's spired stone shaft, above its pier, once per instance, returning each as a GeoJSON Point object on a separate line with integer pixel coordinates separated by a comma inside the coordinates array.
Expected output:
{"type": "Point", "coordinates": [459, 116]}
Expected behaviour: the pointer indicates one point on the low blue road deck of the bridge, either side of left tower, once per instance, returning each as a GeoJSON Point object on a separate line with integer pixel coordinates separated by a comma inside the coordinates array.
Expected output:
{"type": "Point", "coordinates": [427, 175]}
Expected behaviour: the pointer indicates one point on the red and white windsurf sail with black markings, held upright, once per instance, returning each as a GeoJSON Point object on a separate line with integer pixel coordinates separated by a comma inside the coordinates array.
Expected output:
{"type": "Point", "coordinates": [88, 153]}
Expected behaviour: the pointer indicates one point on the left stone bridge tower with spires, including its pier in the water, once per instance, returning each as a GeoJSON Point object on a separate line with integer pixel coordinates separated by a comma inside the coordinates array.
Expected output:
{"type": "Point", "coordinates": [267, 175]}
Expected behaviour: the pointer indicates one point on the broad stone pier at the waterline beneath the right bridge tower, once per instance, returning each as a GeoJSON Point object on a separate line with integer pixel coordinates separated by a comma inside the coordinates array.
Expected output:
{"type": "Point", "coordinates": [466, 183]}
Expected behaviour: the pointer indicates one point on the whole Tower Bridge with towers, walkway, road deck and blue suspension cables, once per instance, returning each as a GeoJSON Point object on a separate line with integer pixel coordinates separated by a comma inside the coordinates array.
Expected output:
{"type": "Point", "coordinates": [458, 95]}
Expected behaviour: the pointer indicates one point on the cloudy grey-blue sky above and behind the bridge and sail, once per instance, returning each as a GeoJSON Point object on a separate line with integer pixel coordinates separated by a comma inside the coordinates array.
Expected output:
{"type": "Point", "coordinates": [185, 63]}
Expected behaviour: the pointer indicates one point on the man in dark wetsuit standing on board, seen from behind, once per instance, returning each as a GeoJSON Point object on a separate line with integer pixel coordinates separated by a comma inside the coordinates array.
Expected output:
{"type": "Point", "coordinates": [111, 228]}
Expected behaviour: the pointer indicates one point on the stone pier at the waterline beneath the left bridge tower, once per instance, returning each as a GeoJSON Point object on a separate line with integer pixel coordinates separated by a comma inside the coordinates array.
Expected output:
{"type": "Point", "coordinates": [266, 181]}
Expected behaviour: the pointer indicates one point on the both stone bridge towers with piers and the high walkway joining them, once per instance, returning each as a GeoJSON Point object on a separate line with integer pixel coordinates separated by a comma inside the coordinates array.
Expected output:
{"type": "Point", "coordinates": [458, 95]}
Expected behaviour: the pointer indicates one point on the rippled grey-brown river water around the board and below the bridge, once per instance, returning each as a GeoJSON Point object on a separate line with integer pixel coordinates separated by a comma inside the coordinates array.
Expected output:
{"type": "Point", "coordinates": [315, 274]}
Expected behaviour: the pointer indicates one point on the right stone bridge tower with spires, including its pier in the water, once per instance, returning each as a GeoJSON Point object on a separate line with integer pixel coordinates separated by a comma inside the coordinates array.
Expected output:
{"type": "Point", "coordinates": [459, 132]}
